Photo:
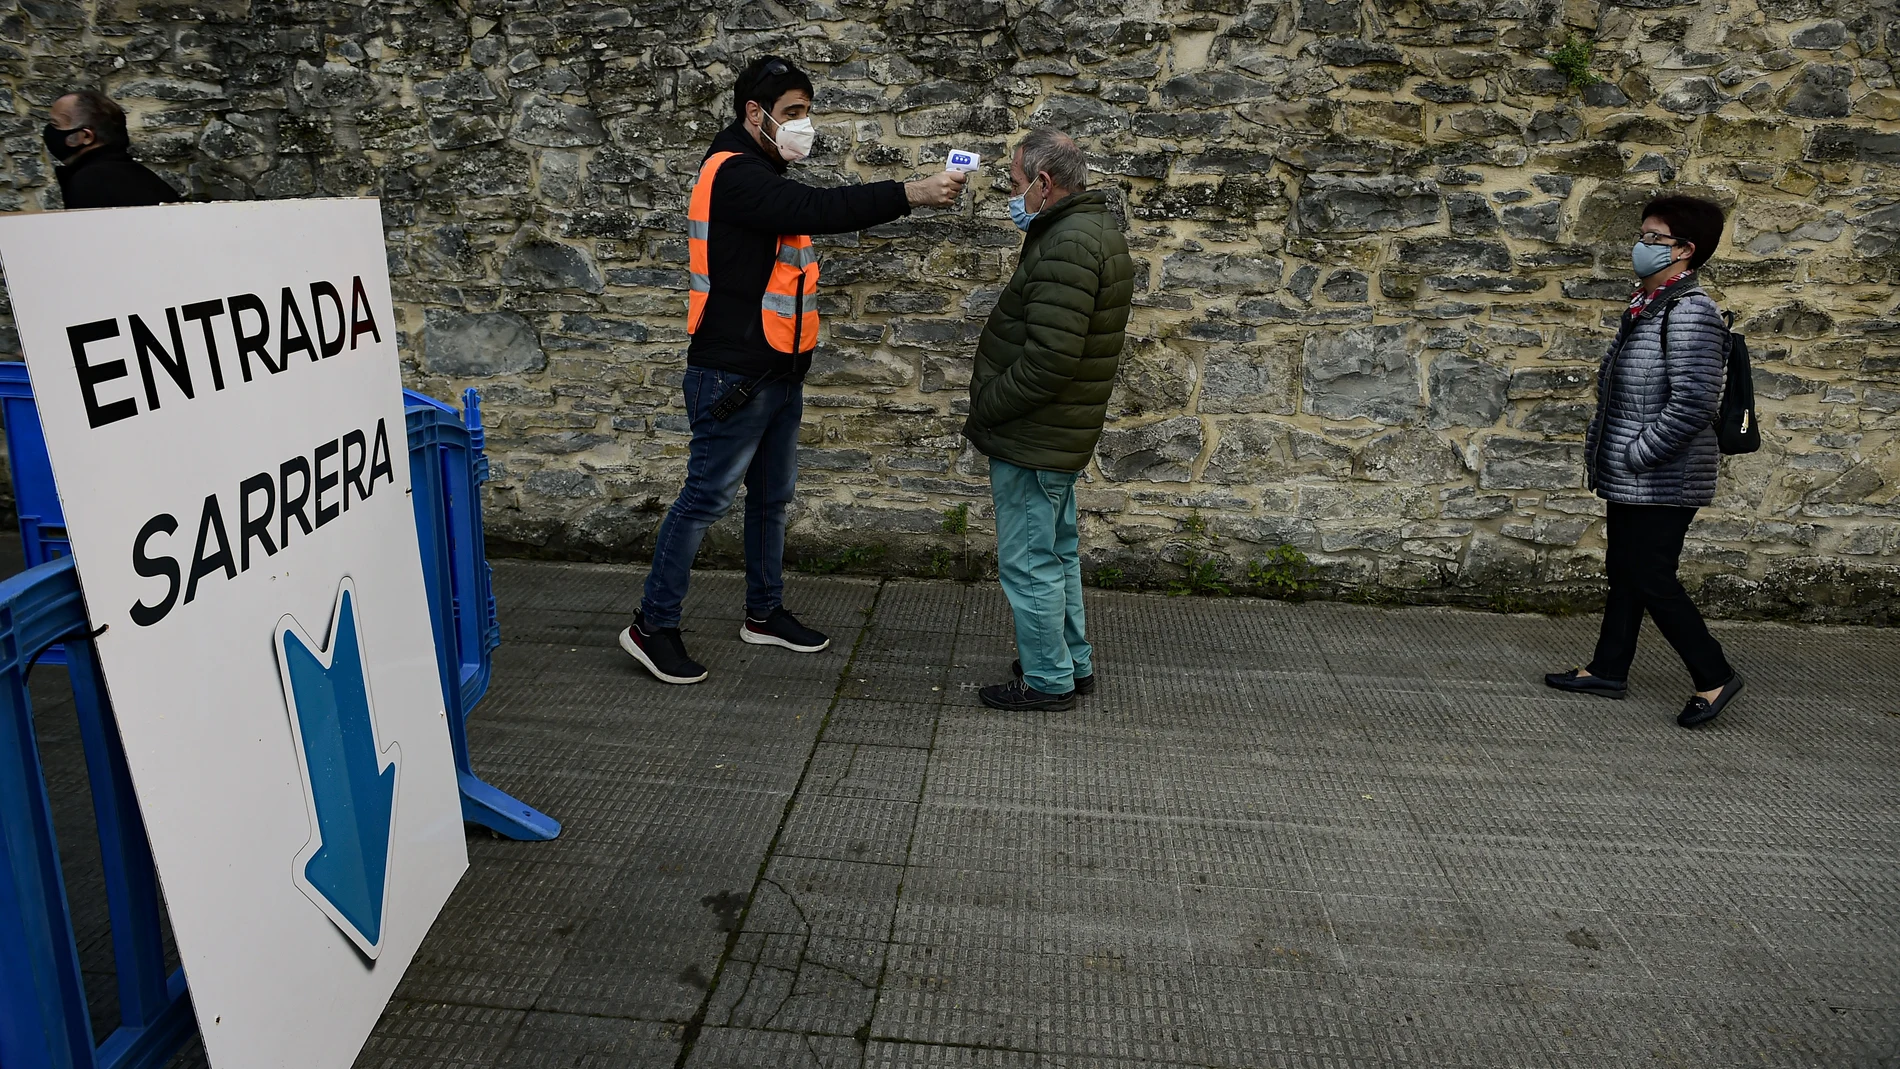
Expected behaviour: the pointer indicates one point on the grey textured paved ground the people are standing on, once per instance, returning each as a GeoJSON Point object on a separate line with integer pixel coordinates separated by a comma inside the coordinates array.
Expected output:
{"type": "Point", "coordinates": [1278, 835]}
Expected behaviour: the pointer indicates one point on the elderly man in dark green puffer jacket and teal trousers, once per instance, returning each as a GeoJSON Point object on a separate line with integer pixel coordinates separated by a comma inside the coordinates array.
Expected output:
{"type": "Point", "coordinates": [1046, 366]}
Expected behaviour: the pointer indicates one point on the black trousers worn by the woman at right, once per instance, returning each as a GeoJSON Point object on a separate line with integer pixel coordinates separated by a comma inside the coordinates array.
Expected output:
{"type": "Point", "coordinates": [1644, 552]}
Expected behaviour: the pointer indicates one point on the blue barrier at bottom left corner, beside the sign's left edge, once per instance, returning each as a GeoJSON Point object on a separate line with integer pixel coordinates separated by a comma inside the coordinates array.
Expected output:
{"type": "Point", "coordinates": [45, 1022]}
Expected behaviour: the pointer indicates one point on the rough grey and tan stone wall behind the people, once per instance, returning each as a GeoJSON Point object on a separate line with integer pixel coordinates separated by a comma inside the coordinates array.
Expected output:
{"type": "Point", "coordinates": [1380, 248]}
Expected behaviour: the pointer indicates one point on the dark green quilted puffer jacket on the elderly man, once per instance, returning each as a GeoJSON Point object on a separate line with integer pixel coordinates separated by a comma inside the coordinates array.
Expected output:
{"type": "Point", "coordinates": [1048, 356]}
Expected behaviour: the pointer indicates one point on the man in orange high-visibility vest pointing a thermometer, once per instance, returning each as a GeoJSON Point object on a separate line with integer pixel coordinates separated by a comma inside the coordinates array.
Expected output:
{"type": "Point", "coordinates": [753, 322]}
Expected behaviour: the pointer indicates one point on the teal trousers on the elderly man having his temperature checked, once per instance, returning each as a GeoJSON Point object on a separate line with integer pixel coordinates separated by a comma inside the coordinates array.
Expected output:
{"type": "Point", "coordinates": [1040, 565]}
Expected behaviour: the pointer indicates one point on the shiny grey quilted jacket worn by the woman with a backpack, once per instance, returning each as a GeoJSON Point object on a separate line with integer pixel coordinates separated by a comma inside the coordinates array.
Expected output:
{"type": "Point", "coordinates": [1652, 440]}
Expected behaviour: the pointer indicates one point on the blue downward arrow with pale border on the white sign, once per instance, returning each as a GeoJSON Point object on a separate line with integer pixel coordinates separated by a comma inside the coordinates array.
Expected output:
{"type": "Point", "coordinates": [349, 785]}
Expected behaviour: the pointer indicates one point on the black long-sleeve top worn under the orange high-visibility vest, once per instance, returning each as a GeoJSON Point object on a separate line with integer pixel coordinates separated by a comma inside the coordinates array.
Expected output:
{"type": "Point", "coordinates": [753, 204]}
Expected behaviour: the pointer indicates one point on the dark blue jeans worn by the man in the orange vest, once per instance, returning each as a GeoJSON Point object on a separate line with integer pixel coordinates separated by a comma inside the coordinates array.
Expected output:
{"type": "Point", "coordinates": [757, 447]}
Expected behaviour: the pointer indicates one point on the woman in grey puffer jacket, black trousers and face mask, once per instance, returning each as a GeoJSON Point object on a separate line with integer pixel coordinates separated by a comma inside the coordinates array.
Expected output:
{"type": "Point", "coordinates": [1652, 455]}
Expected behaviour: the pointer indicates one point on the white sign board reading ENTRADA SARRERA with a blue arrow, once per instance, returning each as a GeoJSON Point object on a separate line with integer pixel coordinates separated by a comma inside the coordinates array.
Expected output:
{"type": "Point", "coordinates": [223, 407]}
